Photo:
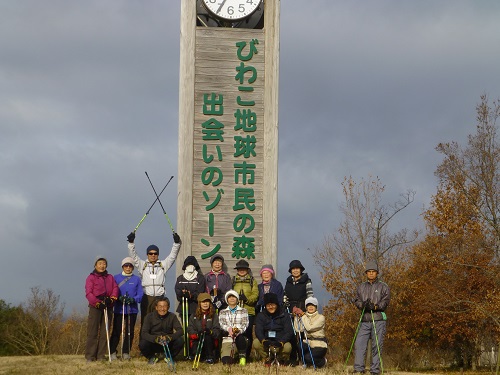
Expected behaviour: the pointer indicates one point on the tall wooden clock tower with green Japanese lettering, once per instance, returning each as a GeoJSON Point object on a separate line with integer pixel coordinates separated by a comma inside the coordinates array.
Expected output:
{"type": "Point", "coordinates": [228, 131]}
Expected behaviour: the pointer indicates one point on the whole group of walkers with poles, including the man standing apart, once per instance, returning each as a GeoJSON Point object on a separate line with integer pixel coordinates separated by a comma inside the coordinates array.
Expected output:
{"type": "Point", "coordinates": [223, 317]}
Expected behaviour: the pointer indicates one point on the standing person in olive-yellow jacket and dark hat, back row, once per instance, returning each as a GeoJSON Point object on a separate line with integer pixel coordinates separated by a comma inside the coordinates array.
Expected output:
{"type": "Point", "coordinates": [248, 290]}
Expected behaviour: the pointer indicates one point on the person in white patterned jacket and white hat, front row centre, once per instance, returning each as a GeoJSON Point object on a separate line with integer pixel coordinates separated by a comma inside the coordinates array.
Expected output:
{"type": "Point", "coordinates": [233, 322]}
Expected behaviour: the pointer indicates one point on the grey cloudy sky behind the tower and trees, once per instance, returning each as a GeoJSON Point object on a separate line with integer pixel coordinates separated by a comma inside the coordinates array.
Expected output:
{"type": "Point", "coordinates": [89, 101]}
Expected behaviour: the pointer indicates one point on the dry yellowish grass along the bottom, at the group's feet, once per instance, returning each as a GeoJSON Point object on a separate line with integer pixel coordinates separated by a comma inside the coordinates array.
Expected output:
{"type": "Point", "coordinates": [75, 364]}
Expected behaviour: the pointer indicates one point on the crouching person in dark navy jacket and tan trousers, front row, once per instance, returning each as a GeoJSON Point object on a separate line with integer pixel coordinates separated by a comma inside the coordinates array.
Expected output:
{"type": "Point", "coordinates": [273, 328]}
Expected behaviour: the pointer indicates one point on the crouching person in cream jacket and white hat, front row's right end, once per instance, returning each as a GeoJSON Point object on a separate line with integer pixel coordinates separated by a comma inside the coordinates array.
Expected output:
{"type": "Point", "coordinates": [314, 325]}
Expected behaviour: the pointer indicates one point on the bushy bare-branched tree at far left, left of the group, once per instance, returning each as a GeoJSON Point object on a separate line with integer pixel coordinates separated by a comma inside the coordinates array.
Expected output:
{"type": "Point", "coordinates": [38, 322]}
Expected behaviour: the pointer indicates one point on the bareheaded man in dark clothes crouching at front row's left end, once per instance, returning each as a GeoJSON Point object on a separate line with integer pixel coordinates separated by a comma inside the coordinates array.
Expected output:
{"type": "Point", "coordinates": [160, 327]}
